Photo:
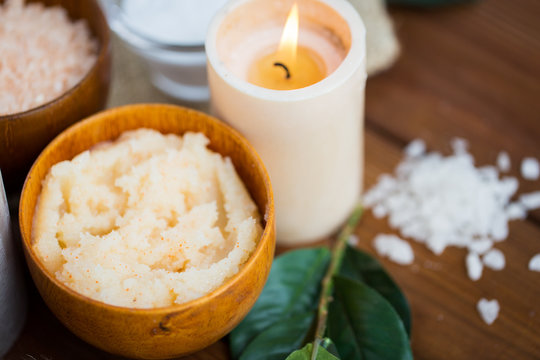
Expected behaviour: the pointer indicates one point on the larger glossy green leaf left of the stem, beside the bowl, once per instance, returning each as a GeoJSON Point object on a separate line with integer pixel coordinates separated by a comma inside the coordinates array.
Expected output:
{"type": "Point", "coordinates": [292, 288]}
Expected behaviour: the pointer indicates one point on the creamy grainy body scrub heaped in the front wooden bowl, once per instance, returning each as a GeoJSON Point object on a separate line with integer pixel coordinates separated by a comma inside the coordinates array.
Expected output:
{"type": "Point", "coordinates": [149, 220]}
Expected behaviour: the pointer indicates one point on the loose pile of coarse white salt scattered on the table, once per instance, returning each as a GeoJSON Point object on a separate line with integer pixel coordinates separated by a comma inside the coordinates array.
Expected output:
{"type": "Point", "coordinates": [446, 201]}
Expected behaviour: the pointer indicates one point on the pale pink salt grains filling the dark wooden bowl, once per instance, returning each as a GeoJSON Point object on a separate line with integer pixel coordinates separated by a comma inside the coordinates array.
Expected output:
{"type": "Point", "coordinates": [43, 54]}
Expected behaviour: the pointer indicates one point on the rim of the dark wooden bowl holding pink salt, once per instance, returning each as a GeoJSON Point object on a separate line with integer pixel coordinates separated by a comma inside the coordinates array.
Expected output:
{"type": "Point", "coordinates": [104, 45]}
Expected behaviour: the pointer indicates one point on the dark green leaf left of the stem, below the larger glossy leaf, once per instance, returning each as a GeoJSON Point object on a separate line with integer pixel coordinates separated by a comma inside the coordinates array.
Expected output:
{"type": "Point", "coordinates": [280, 339]}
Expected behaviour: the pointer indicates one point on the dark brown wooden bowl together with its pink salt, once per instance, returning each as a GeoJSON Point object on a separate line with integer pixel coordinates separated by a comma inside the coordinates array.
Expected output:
{"type": "Point", "coordinates": [39, 99]}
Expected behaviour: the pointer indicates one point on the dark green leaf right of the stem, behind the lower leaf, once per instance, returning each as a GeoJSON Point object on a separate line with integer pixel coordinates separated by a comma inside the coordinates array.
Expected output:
{"type": "Point", "coordinates": [361, 267]}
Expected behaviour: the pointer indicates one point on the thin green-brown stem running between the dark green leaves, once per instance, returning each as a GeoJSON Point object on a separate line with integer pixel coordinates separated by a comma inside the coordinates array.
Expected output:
{"type": "Point", "coordinates": [327, 283]}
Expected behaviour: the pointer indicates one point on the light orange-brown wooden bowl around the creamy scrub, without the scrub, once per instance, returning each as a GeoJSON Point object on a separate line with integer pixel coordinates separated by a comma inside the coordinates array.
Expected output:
{"type": "Point", "coordinates": [162, 332]}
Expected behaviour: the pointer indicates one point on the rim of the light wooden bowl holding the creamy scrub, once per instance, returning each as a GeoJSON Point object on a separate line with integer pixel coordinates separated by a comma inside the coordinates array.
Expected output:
{"type": "Point", "coordinates": [268, 215]}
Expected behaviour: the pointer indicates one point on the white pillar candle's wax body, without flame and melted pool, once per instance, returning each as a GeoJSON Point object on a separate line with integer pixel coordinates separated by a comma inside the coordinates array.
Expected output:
{"type": "Point", "coordinates": [311, 139]}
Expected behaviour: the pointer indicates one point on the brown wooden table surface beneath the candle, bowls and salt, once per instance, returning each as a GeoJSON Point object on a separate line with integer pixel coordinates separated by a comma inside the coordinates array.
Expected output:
{"type": "Point", "coordinates": [471, 71]}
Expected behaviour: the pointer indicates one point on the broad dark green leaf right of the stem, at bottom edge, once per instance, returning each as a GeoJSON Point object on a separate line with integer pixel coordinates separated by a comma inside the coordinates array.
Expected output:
{"type": "Point", "coordinates": [363, 325]}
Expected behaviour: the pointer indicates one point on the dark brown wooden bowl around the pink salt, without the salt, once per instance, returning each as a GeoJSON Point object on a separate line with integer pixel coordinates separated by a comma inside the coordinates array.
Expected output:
{"type": "Point", "coordinates": [23, 135]}
